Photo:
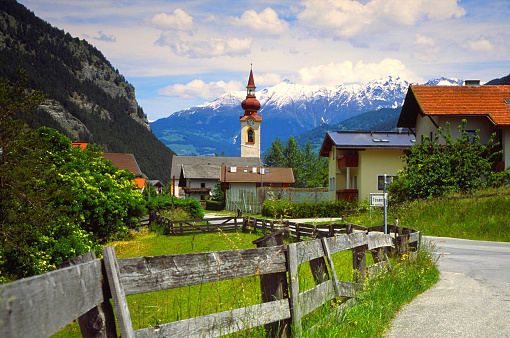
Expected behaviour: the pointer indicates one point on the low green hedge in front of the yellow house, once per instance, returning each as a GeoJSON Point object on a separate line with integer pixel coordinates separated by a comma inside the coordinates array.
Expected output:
{"type": "Point", "coordinates": [285, 209]}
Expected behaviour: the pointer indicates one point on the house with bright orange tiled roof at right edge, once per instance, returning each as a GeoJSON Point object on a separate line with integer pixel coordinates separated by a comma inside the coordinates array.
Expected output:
{"type": "Point", "coordinates": [486, 108]}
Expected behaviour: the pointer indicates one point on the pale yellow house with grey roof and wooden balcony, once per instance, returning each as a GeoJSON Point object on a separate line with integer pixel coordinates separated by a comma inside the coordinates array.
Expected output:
{"type": "Point", "coordinates": [358, 161]}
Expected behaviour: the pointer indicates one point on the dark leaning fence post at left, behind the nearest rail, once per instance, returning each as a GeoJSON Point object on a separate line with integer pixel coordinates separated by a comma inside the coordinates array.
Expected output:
{"type": "Point", "coordinates": [98, 322]}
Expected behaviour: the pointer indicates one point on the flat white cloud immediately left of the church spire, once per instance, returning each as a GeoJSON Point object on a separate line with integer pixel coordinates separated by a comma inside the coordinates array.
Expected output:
{"type": "Point", "coordinates": [198, 88]}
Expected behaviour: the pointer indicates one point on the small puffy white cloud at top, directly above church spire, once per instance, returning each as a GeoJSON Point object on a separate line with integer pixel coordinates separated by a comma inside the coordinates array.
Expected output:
{"type": "Point", "coordinates": [266, 22]}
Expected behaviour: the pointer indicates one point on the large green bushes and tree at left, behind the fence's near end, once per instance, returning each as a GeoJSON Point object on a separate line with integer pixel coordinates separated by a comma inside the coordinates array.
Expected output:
{"type": "Point", "coordinates": [57, 201]}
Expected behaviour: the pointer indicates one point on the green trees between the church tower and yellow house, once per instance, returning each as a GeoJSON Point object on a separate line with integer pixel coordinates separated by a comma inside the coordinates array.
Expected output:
{"type": "Point", "coordinates": [309, 169]}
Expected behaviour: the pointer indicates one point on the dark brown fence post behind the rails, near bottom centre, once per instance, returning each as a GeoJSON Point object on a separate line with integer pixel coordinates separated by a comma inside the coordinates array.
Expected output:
{"type": "Point", "coordinates": [274, 285]}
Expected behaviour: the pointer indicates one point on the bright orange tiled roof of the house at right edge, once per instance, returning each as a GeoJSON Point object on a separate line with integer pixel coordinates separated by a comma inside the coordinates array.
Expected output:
{"type": "Point", "coordinates": [457, 100]}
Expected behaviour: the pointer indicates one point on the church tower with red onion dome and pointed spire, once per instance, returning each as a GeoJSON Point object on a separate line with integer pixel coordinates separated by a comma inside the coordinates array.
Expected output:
{"type": "Point", "coordinates": [250, 122]}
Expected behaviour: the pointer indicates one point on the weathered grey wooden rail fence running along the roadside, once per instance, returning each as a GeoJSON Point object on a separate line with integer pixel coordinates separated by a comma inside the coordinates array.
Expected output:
{"type": "Point", "coordinates": [40, 306]}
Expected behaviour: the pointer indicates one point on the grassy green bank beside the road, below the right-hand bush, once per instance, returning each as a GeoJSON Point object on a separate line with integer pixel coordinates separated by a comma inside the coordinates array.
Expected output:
{"type": "Point", "coordinates": [484, 216]}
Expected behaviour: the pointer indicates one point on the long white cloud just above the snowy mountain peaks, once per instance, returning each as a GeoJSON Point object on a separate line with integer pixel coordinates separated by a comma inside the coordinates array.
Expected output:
{"type": "Point", "coordinates": [348, 72]}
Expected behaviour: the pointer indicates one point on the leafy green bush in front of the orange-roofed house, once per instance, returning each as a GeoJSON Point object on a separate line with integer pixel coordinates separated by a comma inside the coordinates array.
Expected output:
{"type": "Point", "coordinates": [434, 169]}
